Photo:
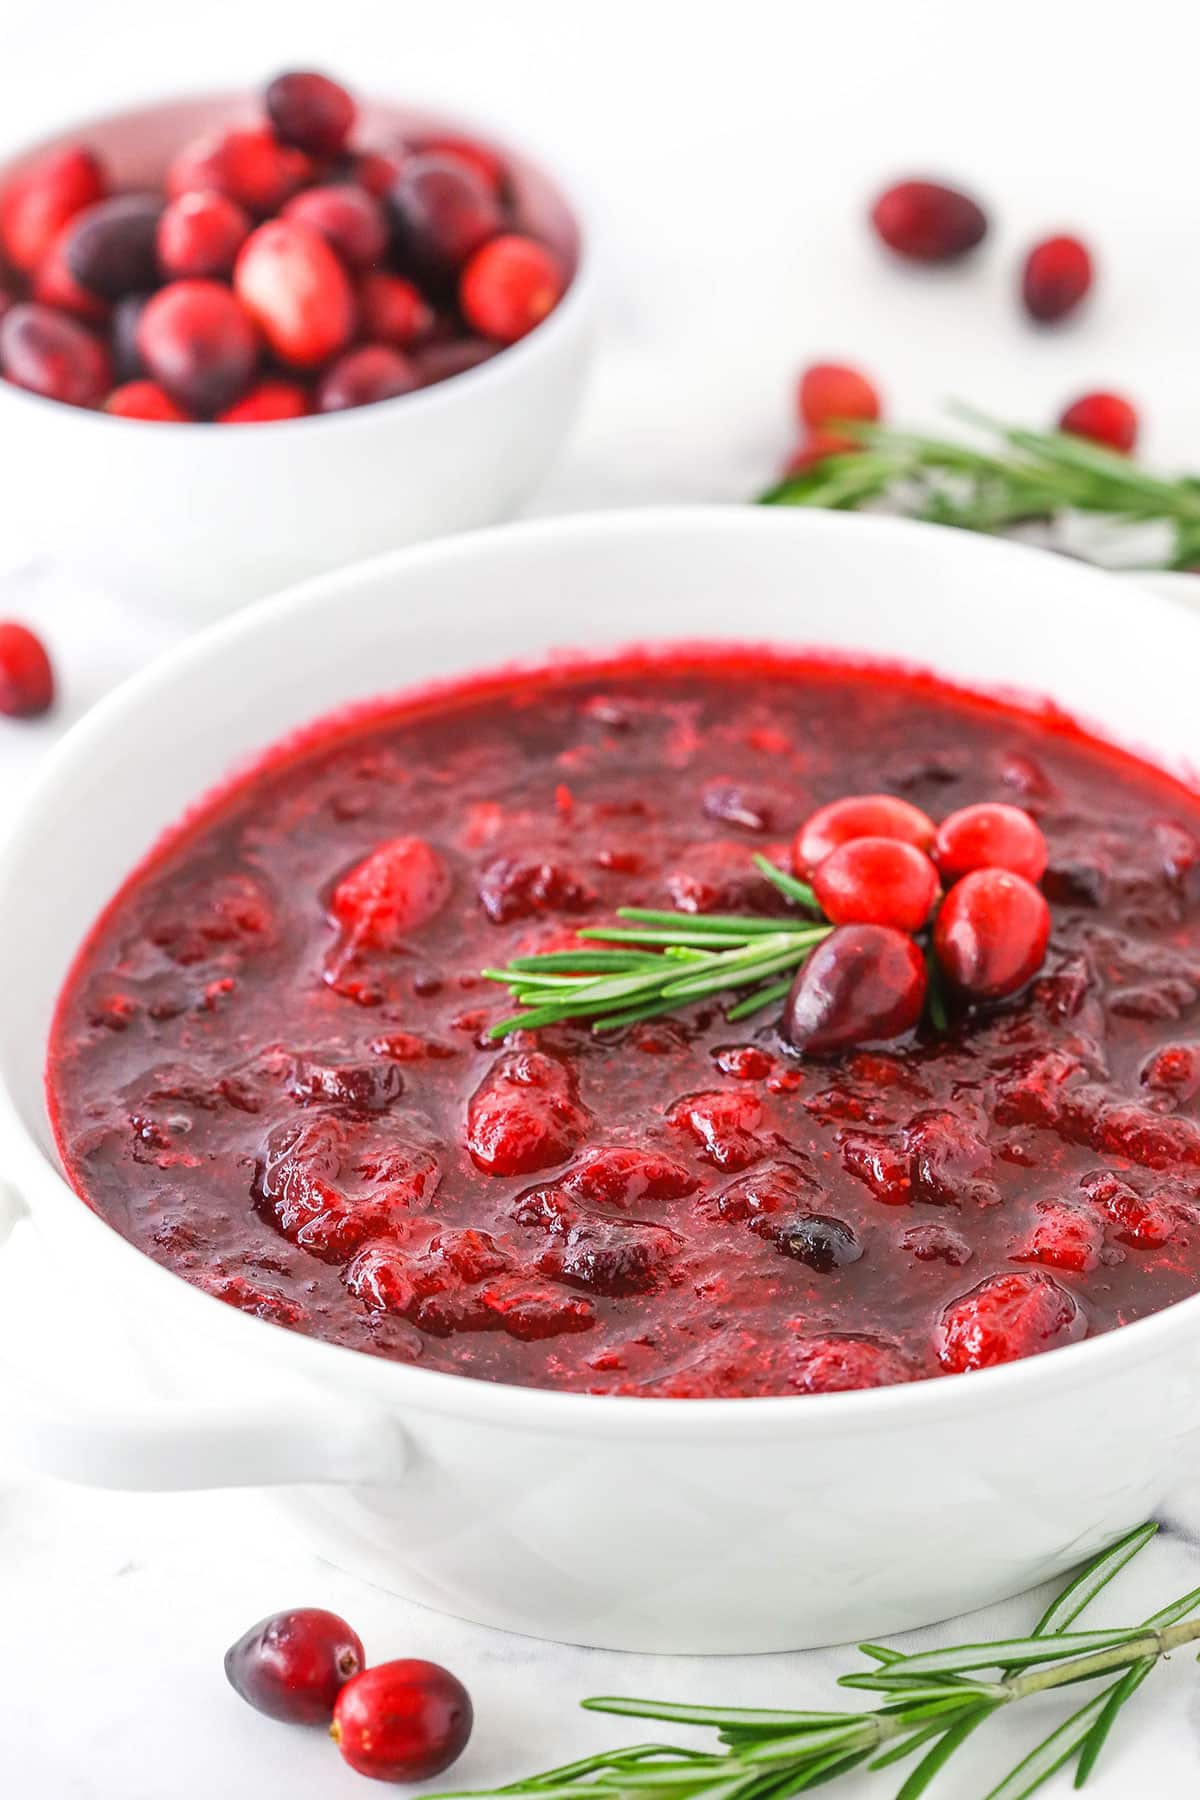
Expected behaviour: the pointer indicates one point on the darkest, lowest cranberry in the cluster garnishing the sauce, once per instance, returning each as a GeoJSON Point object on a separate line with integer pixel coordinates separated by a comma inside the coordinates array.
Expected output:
{"type": "Point", "coordinates": [861, 985]}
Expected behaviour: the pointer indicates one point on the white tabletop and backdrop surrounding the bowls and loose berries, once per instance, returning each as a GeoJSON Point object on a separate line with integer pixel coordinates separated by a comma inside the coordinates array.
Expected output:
{"type": "Point", "coordinates": [726, 154]}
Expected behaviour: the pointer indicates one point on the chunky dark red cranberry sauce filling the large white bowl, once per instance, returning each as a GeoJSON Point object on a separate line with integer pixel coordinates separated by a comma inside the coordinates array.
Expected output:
{"type": "Point", "coordinates": [294, 1104]}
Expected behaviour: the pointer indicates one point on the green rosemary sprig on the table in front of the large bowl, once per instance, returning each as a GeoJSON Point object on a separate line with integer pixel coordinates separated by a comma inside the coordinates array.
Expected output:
{"type": "Point", "coordinates": [933, 1700]}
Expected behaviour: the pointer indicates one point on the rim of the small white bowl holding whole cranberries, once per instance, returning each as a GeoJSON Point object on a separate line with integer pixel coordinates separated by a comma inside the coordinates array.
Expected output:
{"type": "Point", "coordinates": [505, 364]}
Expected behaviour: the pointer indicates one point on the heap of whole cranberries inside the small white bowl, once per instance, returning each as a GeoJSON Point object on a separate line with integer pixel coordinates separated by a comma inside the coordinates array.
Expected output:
{"type": "Point", "coordinates": [280, 271]}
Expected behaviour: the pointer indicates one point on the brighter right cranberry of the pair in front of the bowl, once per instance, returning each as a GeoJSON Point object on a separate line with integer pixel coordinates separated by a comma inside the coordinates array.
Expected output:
{"type": "Point", "coordinates": [402, 1722]}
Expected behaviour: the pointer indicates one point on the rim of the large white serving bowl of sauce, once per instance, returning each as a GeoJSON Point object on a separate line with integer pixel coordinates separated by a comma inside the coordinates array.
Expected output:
{"type": "Point", "coordinates": [409, 1387]}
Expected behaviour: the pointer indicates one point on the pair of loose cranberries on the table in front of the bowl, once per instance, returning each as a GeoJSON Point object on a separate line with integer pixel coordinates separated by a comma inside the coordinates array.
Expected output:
{"type": "Point", "coordinates": [397, 1722]}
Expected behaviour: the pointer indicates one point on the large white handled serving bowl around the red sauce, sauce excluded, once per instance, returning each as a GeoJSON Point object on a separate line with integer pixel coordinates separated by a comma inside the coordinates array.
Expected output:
{"type": "Point", "coordinates": [634, 1524]}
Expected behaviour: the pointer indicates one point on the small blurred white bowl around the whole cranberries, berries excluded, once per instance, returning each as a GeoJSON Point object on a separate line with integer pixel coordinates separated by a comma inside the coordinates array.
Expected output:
{"type": "Point", "coordinates": [195, 519]}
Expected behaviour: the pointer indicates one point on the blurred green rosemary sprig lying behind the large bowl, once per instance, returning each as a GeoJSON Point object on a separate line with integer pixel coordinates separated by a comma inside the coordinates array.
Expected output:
{"type": "Point", "coordinates": [1028, 478]}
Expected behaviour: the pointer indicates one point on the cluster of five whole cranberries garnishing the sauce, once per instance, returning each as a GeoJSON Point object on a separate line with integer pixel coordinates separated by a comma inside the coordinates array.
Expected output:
{"type": "Point", "coordinates": [882, 872]}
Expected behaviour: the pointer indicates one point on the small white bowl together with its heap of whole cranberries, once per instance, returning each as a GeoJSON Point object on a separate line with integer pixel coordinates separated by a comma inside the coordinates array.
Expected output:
{"type": "Point", "coordinates": [397, 305]}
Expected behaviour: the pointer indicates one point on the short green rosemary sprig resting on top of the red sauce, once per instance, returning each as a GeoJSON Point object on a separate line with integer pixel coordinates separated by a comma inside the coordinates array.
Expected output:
{"type": "Point", "coordinates": [667, 960]}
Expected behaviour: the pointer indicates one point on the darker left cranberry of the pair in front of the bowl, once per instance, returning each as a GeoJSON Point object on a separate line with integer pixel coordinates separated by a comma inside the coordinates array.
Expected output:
{"type": "Point", "coordinates": [294, 1666]}
